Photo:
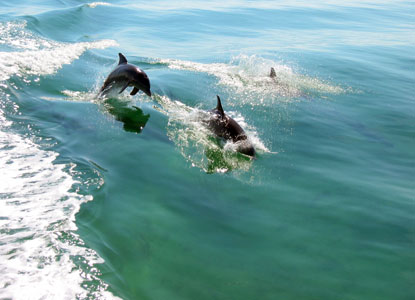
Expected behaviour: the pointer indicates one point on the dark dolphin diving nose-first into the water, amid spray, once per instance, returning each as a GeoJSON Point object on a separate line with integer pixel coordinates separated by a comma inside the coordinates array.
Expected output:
{"type": "Point", "coordinates": [225, 127]}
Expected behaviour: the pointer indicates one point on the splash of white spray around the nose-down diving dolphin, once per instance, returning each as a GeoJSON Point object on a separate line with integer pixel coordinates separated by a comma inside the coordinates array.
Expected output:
{"type": "Point", "coordinates": [186, 128]}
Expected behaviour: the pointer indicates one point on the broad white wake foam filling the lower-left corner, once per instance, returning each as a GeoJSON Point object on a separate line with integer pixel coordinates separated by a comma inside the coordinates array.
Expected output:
{"type": "Point", "coordinates": [37, 208]}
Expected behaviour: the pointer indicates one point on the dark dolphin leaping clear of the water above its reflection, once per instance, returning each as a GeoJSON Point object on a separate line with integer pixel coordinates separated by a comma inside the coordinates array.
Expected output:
{"type": "Point", "coordinates": [125, 75]}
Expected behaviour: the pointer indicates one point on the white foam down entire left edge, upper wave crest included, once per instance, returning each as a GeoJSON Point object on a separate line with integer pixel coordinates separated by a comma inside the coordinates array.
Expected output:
{"type": "Point", "coordinates": [41, 256]}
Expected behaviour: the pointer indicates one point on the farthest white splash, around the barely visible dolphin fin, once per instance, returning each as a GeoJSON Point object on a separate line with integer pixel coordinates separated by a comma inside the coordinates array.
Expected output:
{"type": "Point", "coordinates": [249, 75]}
